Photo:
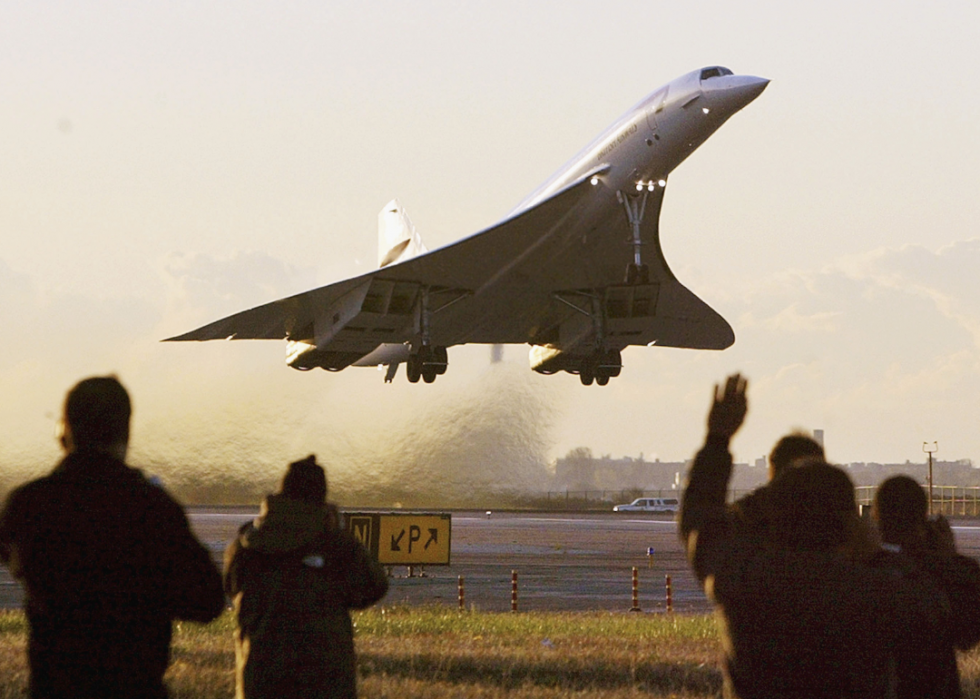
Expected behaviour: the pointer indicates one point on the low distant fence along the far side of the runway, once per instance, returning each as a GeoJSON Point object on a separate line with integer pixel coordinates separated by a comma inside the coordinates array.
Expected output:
{"type": "Point", "coordinates": [950, 500]}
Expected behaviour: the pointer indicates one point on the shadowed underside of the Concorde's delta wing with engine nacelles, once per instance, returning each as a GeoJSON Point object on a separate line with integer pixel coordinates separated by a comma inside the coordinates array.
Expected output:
{"type": "Point", "coordinates": [543, 277]}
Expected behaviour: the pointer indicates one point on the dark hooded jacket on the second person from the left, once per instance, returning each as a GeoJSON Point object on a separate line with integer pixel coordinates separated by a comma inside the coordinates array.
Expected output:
{"type": "Point", "coordinates": [293, 575]}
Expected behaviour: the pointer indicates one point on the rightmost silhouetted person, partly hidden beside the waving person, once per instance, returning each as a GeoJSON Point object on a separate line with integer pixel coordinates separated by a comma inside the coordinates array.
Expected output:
{"type": "Point", "coordinates": [923, 551]}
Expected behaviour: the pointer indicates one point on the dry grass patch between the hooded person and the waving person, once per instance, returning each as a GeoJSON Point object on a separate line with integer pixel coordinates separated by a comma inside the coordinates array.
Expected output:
{"type": "Point", "coordinates": [441, 654]}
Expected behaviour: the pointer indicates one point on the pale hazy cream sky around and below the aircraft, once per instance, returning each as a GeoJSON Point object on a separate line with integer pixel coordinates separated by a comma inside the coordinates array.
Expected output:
{"type": "Point", "coordinates": [163, 165]}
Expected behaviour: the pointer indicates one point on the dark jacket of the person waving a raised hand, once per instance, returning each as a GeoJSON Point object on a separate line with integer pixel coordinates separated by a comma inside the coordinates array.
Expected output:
{"type": "Point", "coordinates": [795, 623]}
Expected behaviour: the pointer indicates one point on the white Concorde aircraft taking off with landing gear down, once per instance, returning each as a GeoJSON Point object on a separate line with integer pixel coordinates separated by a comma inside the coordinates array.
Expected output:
{"type": "Point", "coordinates": [576, 270]}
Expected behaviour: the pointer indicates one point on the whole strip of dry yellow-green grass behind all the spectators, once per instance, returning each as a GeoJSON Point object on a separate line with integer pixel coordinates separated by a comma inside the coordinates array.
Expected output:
{"type": "Point", "coordinates": [438, 653]}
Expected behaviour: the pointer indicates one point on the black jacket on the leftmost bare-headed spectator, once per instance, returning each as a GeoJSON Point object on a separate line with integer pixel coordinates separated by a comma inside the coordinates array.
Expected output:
{"type": "Point", "coordinates": [107, 560]}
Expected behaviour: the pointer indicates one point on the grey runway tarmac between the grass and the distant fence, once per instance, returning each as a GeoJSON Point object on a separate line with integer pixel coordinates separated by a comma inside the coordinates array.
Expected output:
{"type": "Point", "coordinates": [564, 562]}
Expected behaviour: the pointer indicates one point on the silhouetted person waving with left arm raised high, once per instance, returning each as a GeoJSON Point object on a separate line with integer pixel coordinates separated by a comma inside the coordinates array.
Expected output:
{"type": "Point", "coordinates": [799, 619]}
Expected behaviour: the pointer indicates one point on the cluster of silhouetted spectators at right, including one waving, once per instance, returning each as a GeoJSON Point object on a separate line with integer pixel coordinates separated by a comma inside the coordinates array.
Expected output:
{"type": "Point", "coordinates": [812, 603]}
